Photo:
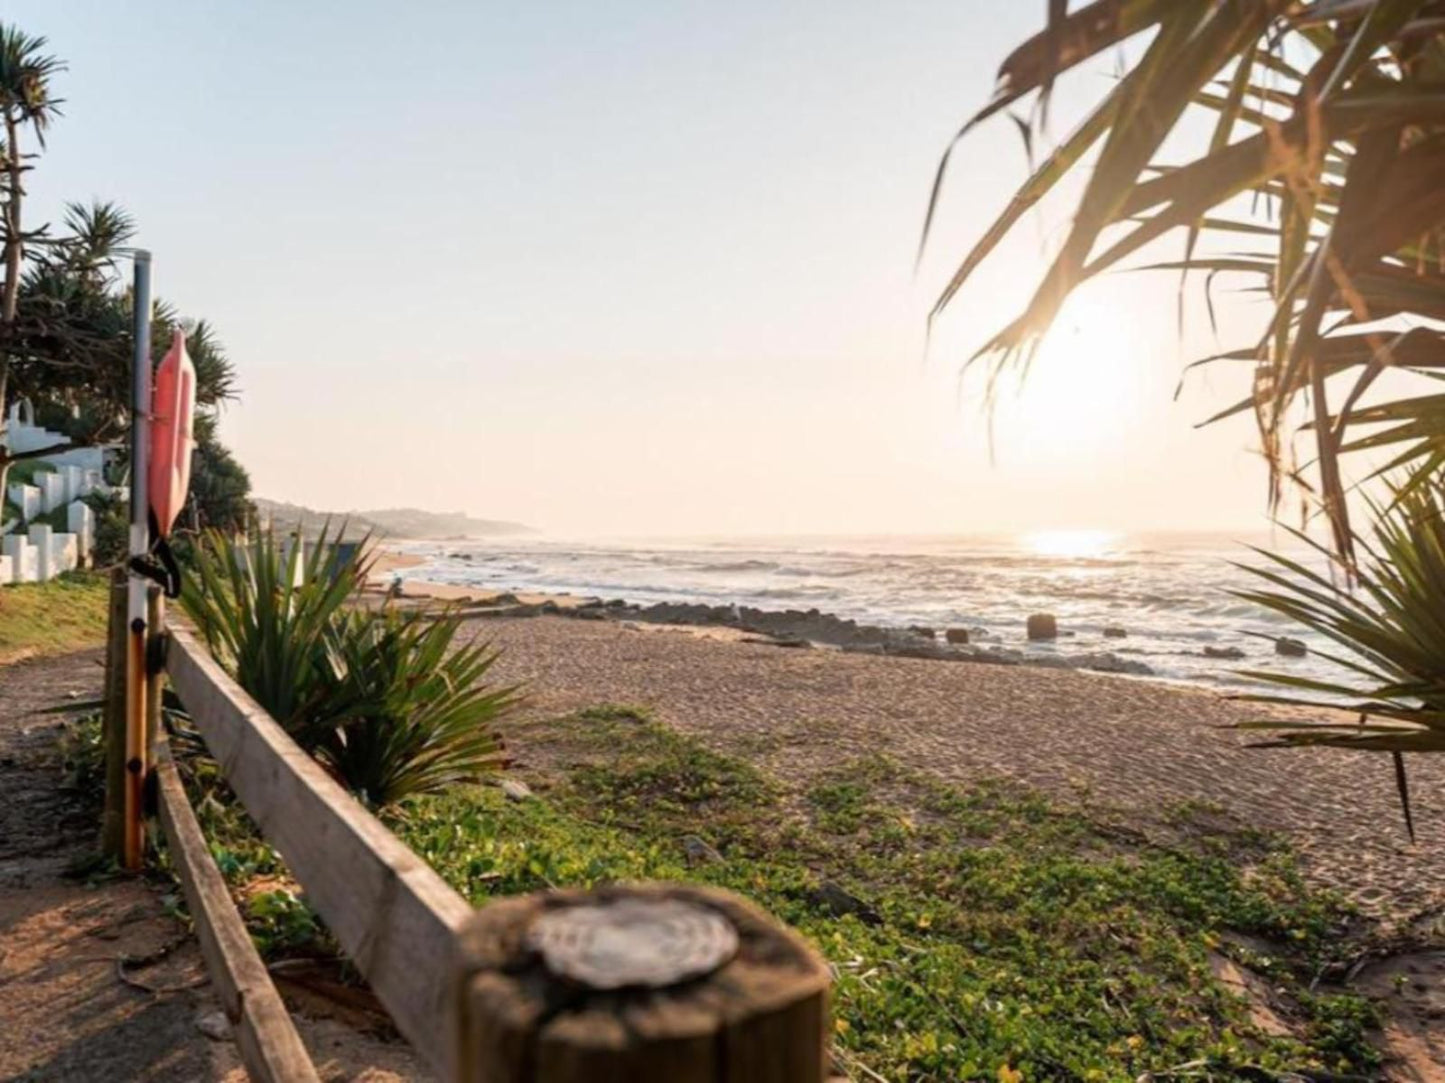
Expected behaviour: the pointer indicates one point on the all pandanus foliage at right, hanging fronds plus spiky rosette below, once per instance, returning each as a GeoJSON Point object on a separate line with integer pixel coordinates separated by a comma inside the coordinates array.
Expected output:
{"type": "Point", "coordinates": [1324, 179]}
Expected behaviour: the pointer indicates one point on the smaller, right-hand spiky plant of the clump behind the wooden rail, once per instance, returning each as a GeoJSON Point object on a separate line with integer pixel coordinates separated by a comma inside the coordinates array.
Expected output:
{"type": "Point", "coordinates": [420, 715]}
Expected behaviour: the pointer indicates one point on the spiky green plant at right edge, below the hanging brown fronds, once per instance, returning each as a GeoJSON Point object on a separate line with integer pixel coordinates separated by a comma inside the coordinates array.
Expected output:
{"type": "Point", "coordinates": [1391, 630]}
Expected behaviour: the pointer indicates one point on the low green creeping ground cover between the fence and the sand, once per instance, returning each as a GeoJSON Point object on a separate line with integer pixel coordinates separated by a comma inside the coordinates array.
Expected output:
{"type": "Point", "coordinates": [998, 933]}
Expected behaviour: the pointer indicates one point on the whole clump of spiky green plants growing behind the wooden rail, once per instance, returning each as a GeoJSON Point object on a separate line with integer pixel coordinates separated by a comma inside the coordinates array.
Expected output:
{"type": "Point", "coordinates": [384, 699]}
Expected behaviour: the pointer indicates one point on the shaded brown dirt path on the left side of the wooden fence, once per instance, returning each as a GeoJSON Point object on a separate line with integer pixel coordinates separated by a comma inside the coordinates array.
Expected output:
{"type": "Point", "coordinates": [99, 978]}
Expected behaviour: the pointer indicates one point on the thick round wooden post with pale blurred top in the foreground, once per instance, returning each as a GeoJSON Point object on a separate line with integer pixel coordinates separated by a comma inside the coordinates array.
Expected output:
{"type": "Point", "coordinates": [651, 983]}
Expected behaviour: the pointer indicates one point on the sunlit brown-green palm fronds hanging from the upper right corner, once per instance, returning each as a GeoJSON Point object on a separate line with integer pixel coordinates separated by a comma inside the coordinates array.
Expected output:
{"type": "Point", "coordinates": [1350, 148]}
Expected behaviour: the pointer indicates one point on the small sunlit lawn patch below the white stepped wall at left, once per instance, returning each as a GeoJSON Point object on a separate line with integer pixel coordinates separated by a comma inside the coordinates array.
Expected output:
{"type": "Point", "coordinates": [67, 614]}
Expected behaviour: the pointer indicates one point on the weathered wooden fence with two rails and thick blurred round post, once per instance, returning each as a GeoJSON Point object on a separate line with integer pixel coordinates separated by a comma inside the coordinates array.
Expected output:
{"type": "Point", "coordinates": [647, 983]}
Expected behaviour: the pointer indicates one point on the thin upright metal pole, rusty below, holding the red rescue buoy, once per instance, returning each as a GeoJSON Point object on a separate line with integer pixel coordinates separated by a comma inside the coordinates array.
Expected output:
{"type": "Point", "coordinates": [137, 601]}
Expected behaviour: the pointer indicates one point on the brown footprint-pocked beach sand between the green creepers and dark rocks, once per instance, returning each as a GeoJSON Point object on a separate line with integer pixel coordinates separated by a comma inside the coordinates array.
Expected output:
{"type": "Point", "coordinates": [1134, 744]}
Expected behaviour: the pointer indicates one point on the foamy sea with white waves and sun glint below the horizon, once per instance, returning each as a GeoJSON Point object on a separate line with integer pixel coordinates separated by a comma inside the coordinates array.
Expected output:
{"type": "Point", "coordinates": [1173, 594]}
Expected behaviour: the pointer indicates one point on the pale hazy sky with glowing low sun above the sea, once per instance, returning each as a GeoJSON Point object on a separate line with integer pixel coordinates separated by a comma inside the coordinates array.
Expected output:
{"type": "Point", "coordinates": [634, 268]}
